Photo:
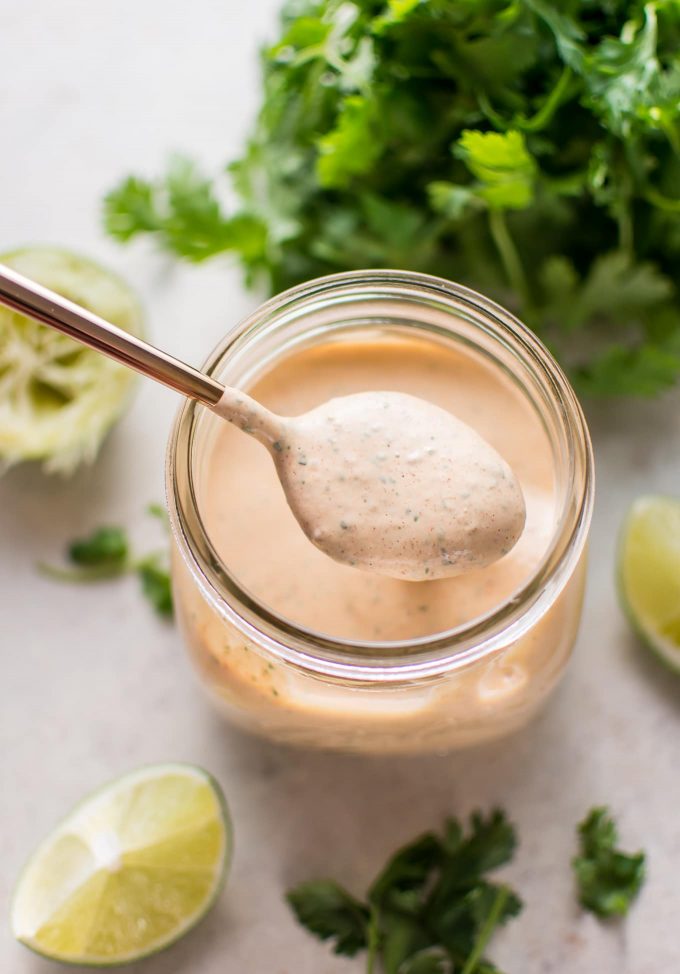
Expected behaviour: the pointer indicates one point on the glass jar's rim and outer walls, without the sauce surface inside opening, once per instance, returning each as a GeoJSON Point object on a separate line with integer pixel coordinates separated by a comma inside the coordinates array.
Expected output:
{"type": "Point", "coordinates": [478, 681]}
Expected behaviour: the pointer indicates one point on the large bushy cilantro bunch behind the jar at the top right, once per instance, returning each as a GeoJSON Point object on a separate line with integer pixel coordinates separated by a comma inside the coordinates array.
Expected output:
{"type": "Point", "coordinates": [528, 148]}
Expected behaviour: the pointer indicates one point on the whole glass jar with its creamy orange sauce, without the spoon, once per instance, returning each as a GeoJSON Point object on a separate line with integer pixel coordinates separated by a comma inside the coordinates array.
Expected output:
{"type": "Point", "coordinates": [300, 649]}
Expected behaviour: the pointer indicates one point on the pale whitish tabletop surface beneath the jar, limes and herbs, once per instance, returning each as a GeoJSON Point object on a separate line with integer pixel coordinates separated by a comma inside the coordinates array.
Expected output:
{"type": "Point", "coordinates": [93, 685]}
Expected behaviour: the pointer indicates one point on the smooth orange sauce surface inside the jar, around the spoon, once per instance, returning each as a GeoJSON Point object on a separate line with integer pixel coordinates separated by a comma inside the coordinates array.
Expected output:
{"type": "Point", "coordinates": [259, 540]}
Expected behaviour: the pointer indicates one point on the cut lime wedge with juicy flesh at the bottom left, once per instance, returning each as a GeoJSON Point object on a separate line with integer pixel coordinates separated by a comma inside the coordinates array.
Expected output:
{"type": "Point", "coordinates": [129, 871]}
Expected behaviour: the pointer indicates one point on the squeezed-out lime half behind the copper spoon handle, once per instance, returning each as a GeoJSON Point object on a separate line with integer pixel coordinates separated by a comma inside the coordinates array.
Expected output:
{"type": "Point", "coordinates": [58, 399]}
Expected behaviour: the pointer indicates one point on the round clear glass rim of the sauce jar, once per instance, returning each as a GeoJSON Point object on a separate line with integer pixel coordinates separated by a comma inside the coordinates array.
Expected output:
{"type": "Point", "coordinates": [394, 660]}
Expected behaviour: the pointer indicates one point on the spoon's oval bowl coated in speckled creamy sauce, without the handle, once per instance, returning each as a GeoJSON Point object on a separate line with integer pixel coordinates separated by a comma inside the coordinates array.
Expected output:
{"type": "Point", "coordinates": [389, 483]}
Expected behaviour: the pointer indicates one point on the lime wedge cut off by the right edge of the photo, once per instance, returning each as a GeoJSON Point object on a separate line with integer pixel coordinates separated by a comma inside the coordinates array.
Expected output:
{"type": "Point", "coordinates": [649, 574]}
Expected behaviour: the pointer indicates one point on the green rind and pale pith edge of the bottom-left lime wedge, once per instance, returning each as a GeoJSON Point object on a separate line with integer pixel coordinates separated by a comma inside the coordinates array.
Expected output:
{"type": "Point", "coordinates": [69, 827]}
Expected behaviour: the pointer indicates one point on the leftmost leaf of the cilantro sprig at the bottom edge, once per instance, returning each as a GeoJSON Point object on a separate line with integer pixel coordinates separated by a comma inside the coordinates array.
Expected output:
{"type": "Point", "coordinates": [330, 912]}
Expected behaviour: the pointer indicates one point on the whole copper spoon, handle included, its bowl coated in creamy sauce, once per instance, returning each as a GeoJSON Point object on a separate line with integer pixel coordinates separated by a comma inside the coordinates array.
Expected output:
{"type": "Point", "coordinates": [383, 481]}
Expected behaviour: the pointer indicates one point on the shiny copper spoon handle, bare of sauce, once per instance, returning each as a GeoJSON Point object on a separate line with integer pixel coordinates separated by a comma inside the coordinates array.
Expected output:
{"type": "Point", "coordinates": [21, 294]}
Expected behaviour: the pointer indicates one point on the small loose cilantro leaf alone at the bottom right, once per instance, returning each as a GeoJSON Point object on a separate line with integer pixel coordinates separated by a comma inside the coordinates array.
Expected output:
{"type": "Point", "coordinates": [608, 879]}
